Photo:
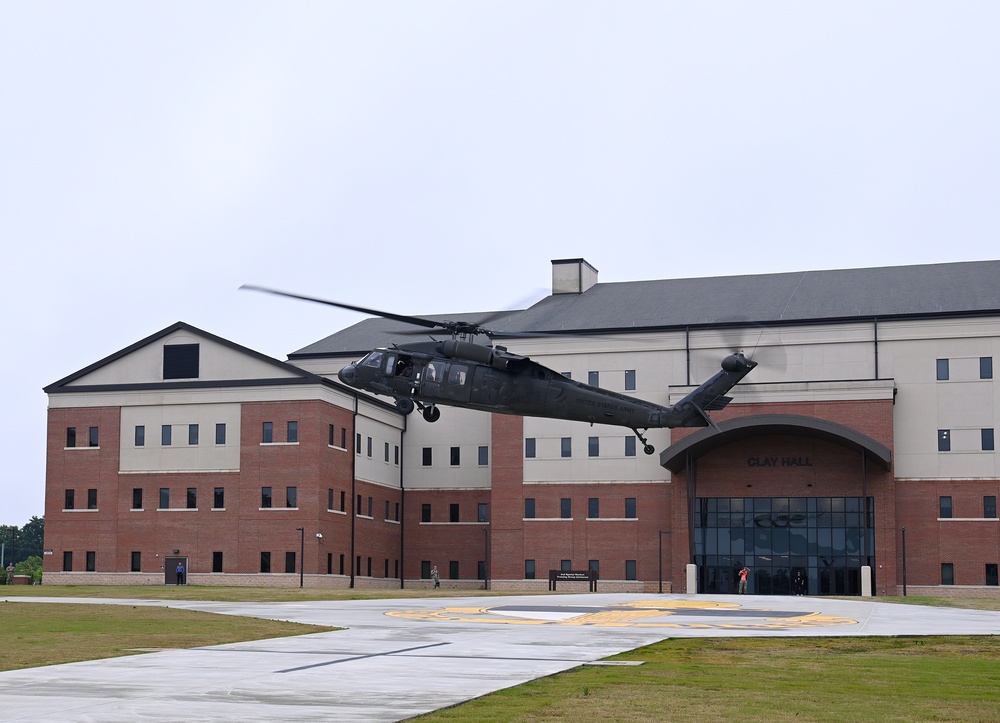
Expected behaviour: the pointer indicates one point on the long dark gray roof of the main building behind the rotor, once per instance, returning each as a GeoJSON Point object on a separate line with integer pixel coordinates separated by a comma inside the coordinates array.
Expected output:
{"type": "Point", "coordinates": [965, 288]}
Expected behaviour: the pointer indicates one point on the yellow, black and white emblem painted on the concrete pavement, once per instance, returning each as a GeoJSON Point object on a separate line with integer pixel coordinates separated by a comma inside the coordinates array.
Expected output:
{"type": "Point", "coordinates": [686, 614]}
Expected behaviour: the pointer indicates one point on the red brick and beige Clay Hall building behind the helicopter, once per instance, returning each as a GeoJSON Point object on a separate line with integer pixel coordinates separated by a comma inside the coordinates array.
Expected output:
{"type": "Point", "coordinates": [859, 453]}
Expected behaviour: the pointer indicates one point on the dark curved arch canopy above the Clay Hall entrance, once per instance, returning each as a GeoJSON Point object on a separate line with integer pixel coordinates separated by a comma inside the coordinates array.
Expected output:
{"type": "Point", "coordinates": [674, 457]}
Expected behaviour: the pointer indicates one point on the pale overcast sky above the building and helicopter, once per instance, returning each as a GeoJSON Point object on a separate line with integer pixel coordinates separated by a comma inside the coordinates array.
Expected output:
{"type": "Point", "coordinates": [429, 157]}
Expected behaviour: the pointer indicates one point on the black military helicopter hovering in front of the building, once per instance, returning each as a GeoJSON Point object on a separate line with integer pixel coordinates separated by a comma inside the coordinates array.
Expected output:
{"type": "Point", "coordinates": [460, 373]}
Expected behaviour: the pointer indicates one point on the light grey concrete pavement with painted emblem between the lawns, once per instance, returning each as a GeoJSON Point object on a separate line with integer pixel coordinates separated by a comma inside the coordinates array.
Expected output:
{"type": "Point", "coordinates": [399, 658]}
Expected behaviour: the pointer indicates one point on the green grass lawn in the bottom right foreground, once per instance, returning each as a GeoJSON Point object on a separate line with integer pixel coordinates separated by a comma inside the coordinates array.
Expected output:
{"type": "Point", "coordinates": [766, 679]}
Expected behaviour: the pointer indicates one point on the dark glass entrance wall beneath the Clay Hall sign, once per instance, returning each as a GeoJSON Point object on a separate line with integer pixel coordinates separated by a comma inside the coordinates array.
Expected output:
{"type": "Point", "coordinates": [778, 538]}
